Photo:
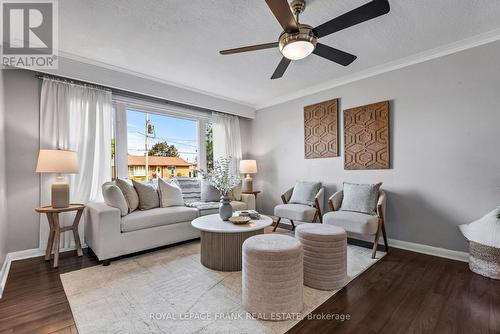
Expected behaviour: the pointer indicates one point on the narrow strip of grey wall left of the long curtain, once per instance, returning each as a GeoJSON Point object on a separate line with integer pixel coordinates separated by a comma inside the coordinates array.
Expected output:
{"type": "Point", "coordinates": [22, 100]}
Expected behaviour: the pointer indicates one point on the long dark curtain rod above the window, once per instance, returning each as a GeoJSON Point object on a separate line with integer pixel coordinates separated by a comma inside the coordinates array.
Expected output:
{"type": "Point", "coordinates": [124, 93]}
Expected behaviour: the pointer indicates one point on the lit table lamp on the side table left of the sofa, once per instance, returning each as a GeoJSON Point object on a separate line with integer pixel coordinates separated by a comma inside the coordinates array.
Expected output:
{"type": "Point", "coordinates": [59, 162]}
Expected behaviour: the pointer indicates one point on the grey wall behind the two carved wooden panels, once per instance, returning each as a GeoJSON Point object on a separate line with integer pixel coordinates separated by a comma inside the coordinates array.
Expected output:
{"type": "Point", "coordinates": [445, 117]}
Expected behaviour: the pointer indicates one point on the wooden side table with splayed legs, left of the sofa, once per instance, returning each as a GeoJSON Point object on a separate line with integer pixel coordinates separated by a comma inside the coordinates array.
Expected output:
{"type": "Point", "coordinates": [56, 229]}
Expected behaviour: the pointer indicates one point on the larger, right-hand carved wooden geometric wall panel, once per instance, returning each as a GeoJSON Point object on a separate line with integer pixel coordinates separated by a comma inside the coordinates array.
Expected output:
{"type": "Point", "coordinates": [366, 137]}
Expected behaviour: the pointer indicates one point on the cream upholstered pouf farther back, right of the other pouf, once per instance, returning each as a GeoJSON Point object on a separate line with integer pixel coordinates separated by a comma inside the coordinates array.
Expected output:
{"type": "Point", "coordinates": [325, 255]}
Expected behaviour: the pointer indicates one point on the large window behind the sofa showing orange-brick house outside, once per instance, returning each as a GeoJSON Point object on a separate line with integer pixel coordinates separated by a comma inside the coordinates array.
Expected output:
{"type": "Point", "coordinates": [151, 143]}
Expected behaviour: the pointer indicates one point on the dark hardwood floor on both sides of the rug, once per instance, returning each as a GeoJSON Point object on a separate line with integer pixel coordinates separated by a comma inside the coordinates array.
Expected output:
{"type": "Point", "coordinates": [405, 292]}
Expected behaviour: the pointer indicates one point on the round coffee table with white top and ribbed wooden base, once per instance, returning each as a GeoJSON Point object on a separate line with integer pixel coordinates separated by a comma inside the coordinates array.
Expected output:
{"type": "Point", "coordinates": [221, 241]}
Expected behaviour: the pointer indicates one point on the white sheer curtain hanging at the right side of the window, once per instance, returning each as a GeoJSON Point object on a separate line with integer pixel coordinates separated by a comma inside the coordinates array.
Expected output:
{"type": "Point", "coordinates": [227, 139]}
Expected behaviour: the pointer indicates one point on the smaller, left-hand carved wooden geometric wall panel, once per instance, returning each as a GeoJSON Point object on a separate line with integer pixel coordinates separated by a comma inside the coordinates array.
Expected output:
{"type": "Point", "coordinates": [321, 130]}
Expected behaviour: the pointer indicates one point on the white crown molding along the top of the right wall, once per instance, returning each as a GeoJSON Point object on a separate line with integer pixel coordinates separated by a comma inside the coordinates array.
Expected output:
{"type": "Point", "coordinates": [464, 44]}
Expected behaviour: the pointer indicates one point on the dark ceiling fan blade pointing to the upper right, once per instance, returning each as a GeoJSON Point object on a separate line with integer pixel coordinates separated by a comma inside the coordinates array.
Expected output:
{"type": "Point", "coordinates": [361, 14]}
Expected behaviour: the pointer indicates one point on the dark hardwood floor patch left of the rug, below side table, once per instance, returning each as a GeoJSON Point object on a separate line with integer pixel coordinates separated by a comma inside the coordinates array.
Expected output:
{"type": "Point", "coordinates": [34, 300]}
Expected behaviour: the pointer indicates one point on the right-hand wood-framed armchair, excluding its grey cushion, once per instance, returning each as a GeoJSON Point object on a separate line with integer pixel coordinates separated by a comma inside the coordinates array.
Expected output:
{"type": "Point", "coordinates": [359, 223]}
